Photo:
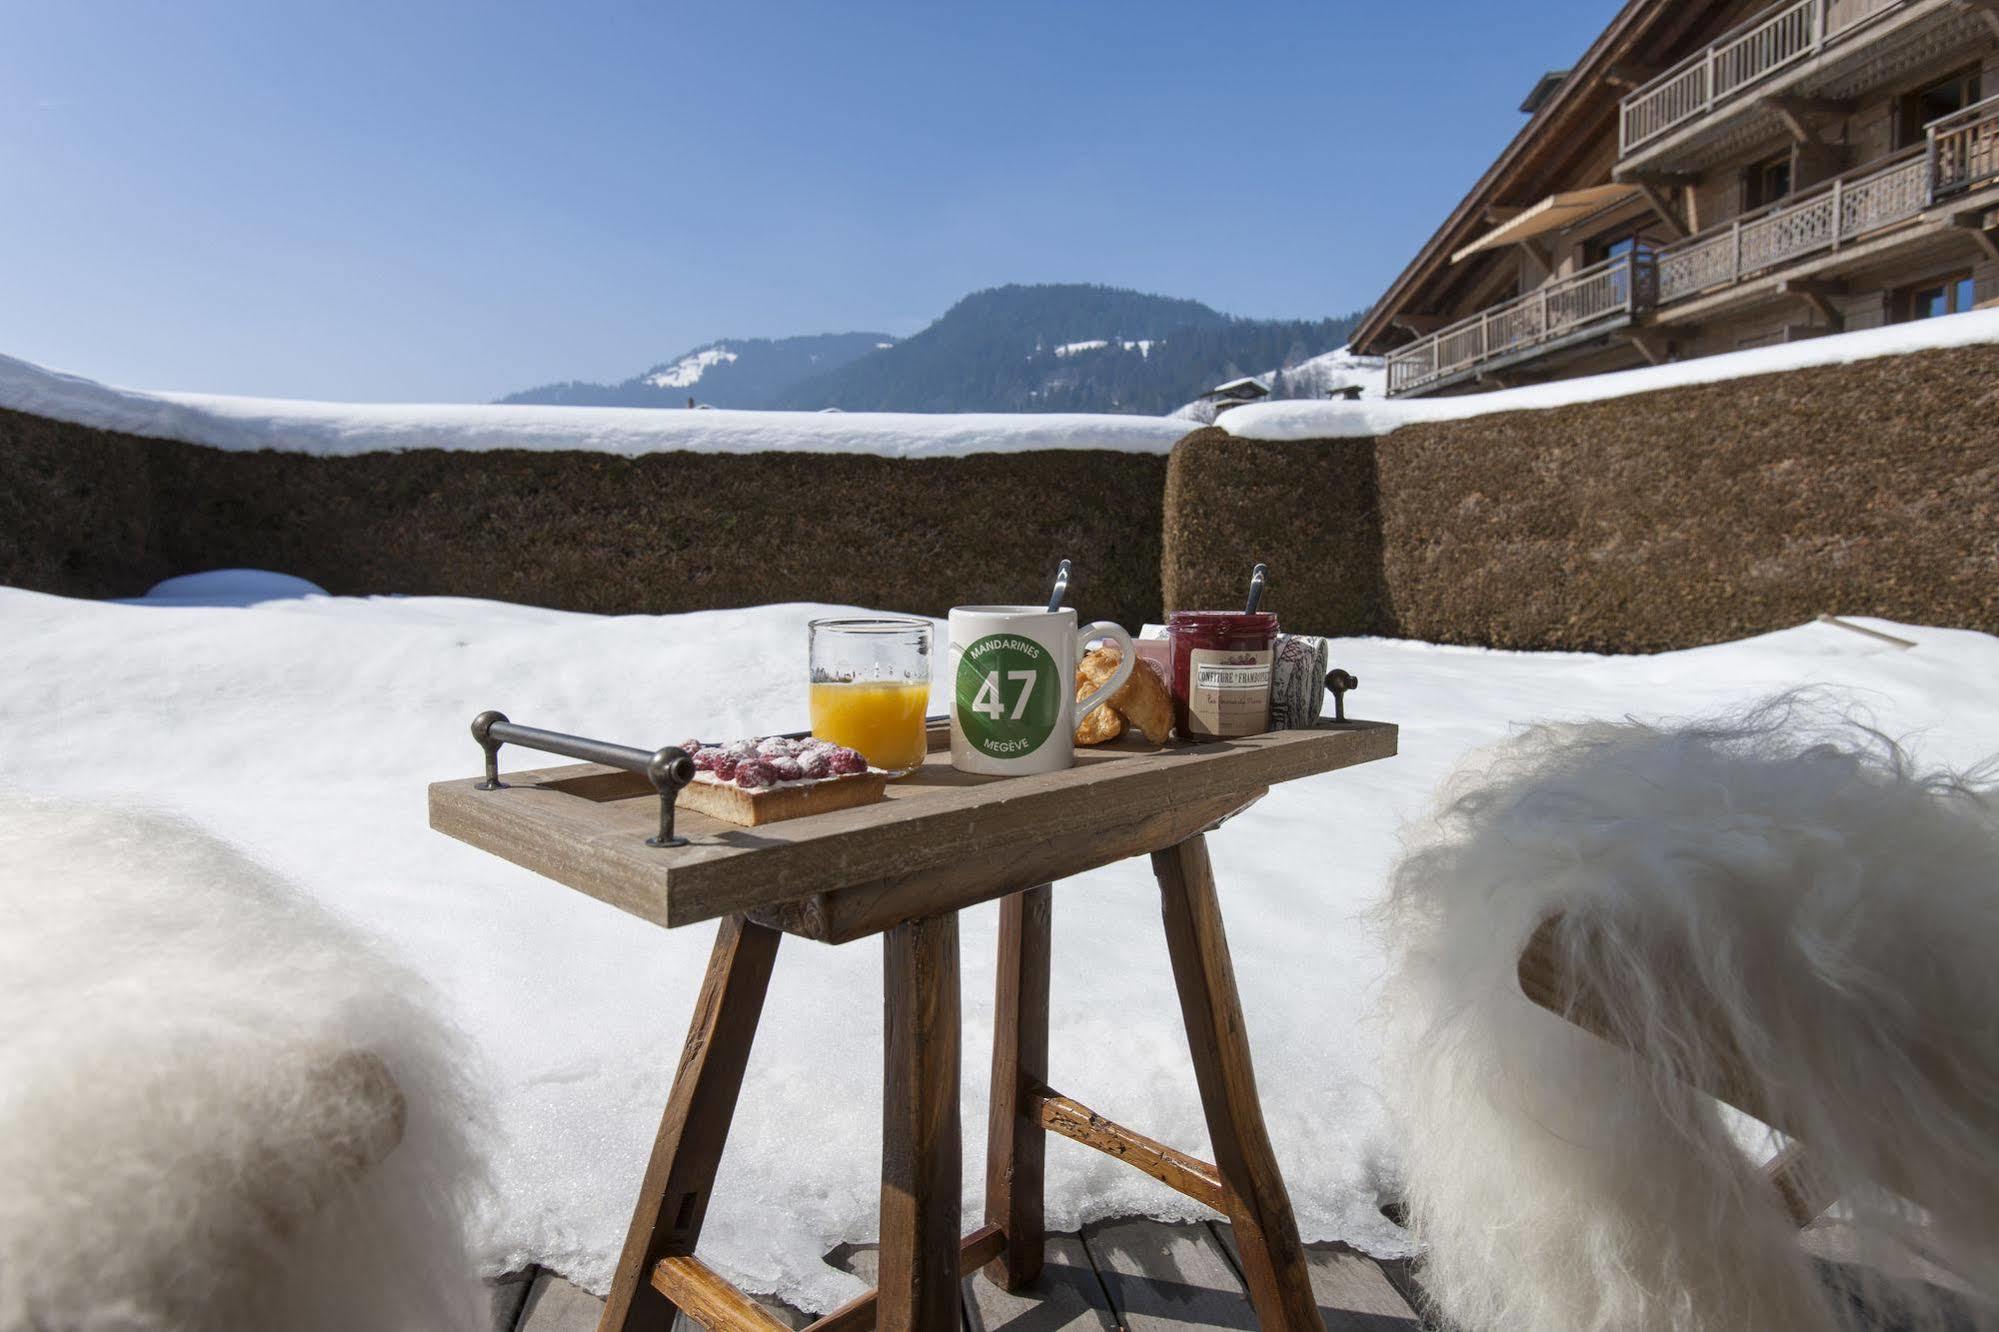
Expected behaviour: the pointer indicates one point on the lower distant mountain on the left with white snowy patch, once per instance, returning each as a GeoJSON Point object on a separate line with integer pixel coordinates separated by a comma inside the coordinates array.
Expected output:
{"type": "Point", "coordinates": [737, 373]}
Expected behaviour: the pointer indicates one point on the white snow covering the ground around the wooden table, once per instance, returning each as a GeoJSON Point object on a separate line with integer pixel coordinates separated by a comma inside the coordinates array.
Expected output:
{"type": "Point", "coordinates": [305, 731]}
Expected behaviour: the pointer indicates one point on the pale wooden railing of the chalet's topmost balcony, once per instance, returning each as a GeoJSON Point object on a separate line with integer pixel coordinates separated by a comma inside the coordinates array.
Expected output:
{"type": "Point", "coordinates": [1736, 63]}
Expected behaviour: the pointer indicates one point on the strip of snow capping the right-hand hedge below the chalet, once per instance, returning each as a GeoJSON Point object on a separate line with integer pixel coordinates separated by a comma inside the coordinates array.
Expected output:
{"type": "Point", "coordinates": [1374, 417]}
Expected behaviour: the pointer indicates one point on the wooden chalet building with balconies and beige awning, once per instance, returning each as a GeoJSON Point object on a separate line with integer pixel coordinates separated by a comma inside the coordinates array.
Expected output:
{"type": "Point", "coordinates": [1716, 177]}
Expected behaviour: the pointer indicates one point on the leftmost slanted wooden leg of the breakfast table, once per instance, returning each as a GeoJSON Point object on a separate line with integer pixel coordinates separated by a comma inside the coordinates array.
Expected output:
{"type": "Point", "coordinates": [697, 1125]}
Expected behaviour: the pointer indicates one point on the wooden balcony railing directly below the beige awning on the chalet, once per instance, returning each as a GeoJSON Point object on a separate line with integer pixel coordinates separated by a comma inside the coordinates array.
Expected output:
{"type": "Point", "coordinates": [1596, 295]}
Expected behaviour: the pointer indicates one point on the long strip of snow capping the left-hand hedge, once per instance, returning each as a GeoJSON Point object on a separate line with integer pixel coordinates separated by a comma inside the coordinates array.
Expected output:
{"type": "Point", "coordinates": [341, 429]}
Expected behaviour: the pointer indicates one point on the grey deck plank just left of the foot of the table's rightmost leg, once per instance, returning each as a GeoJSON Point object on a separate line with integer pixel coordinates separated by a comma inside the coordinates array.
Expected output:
{"type": "Point", "coordinates": [1168, 1277]}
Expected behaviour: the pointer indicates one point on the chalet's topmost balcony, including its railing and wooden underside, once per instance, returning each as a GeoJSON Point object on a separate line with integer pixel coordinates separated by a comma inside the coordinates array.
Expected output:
{"type": "Point", "coordinates": [1752, 81]}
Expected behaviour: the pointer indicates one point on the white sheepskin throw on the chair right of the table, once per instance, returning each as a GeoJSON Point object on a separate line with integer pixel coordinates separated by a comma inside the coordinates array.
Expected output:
{"type": "Point", "coordinates": [1838, 909]}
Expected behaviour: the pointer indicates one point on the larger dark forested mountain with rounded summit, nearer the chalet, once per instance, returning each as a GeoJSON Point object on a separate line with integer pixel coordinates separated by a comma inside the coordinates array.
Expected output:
{"type": "Point", "coordinates": [1066, 349]}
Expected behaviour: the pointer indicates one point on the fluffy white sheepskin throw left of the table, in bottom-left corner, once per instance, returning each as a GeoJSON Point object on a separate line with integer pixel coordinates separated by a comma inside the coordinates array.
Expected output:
{"type": "Point", "coordinates": [219, 1109]}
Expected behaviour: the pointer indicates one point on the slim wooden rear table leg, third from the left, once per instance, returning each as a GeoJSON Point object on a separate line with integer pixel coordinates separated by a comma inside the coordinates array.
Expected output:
{"type": "Point", "coordinates": [1016, 1143]}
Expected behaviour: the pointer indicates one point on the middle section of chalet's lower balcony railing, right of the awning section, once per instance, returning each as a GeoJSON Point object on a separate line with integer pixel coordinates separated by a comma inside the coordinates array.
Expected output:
{"type": "Point", "coordinates": [1824, 219]}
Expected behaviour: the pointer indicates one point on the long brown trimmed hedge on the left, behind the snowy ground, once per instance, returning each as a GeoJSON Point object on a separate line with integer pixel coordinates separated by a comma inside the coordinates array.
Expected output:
{"type": "Point", "coordinates": [109, 515]}
